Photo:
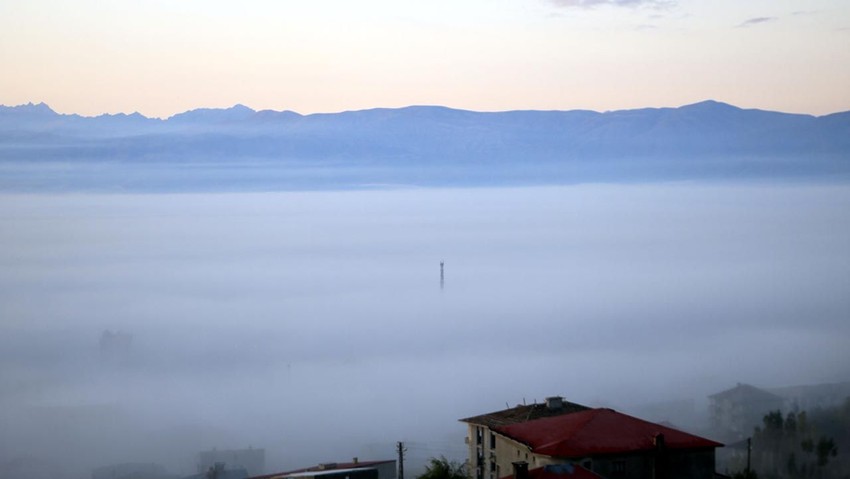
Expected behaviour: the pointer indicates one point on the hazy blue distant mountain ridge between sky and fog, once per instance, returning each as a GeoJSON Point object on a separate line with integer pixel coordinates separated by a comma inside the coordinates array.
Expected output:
{"type": "Point", "coordinates": [240, 148]}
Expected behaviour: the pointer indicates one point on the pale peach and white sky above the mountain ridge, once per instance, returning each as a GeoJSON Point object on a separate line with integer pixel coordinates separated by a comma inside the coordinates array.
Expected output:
{"type": "Point", "coordinates": [161, 57]}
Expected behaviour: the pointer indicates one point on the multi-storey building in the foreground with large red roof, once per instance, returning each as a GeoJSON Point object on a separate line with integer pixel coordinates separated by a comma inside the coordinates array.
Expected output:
{"type": "Point", "coordinates": [604, 442]}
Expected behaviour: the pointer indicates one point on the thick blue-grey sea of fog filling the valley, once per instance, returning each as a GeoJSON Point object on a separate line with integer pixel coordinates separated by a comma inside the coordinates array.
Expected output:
{"type": "Point", "coordinates": [314, 324]}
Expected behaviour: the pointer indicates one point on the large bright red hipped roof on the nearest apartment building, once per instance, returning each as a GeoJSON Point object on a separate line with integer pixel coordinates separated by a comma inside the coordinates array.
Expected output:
{"type": "Point", "coordinates": [598, 431]}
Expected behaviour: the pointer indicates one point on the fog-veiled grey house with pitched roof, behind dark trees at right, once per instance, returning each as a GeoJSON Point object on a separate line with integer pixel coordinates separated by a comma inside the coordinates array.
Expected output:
{"type": "Point", "coordinates": [737, 411]}
